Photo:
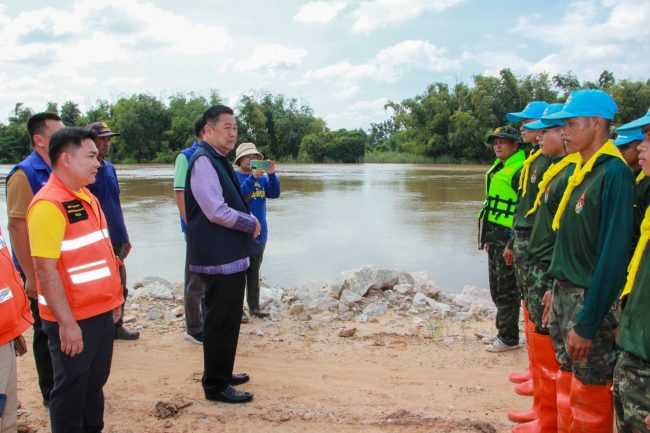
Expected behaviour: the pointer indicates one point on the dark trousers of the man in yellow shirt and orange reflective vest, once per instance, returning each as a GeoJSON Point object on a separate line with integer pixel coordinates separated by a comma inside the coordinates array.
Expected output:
{"type": "Point", "coordinates": [77, 399]}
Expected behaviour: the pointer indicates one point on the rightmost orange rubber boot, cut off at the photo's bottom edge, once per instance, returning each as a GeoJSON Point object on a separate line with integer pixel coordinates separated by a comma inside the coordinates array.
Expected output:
{"type": "Point", "coordinates": [592, 408]}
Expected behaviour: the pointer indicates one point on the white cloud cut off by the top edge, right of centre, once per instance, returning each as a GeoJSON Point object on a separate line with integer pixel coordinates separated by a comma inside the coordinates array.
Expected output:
{"type": "Point", "coordinates": [373, 14]}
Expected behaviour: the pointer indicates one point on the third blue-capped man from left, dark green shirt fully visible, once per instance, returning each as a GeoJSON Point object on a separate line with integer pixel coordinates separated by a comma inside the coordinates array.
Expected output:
{"type": "Point", "coordinates": [590, 257]}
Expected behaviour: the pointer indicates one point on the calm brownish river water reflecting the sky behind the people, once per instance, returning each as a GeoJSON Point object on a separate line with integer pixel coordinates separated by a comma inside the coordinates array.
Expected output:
{"type": "Point", "coordinates": [329, 218]}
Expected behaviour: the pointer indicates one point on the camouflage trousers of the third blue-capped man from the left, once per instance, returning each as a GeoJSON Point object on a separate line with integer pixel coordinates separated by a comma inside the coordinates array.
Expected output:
{"type": "Point", "coordinates": [598, 367]}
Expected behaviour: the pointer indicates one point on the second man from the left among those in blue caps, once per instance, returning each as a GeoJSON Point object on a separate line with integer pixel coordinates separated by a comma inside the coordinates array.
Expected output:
{"type": "Point", "coordinates": [542, 417]}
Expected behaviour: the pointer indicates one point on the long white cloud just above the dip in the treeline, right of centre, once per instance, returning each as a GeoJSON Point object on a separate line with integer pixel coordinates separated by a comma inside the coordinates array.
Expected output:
{"type": "Point", "coordinates": [389, 64]}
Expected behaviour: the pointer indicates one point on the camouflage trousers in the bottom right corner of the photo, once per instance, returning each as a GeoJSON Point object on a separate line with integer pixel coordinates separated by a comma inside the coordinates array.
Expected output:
{"type": "Point", "coordinates": [632, 393]}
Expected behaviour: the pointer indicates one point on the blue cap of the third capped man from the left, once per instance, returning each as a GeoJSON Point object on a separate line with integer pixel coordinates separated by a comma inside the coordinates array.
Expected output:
{"type": "Point", "coordinates": [587, 103]}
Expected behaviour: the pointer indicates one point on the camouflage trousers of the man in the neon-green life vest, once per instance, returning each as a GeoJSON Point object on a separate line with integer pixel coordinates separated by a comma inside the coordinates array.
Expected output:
{"type": "Point", "coordinates": [503, 285]}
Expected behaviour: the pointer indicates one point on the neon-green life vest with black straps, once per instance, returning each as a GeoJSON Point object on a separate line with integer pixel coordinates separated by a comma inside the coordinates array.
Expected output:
{"type": "Point", "coordinates": [500, 197]}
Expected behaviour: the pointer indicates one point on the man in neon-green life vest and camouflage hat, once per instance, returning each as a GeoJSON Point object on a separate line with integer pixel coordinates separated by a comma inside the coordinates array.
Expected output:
{"type": "Point", "coordinates": [495, 223]}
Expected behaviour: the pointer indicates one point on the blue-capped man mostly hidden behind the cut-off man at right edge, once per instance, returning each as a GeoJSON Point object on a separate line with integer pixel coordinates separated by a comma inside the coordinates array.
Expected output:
{"type": "Point", "coordinates": [627, 142]}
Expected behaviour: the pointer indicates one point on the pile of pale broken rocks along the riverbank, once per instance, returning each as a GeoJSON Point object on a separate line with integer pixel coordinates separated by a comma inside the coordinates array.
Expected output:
{"type": "Point", "coordinates": [359, 295]}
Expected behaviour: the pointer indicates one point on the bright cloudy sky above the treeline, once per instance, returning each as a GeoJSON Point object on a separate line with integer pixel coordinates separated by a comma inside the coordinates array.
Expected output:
{"type": "Point", "coordinates": [345, 58]}
